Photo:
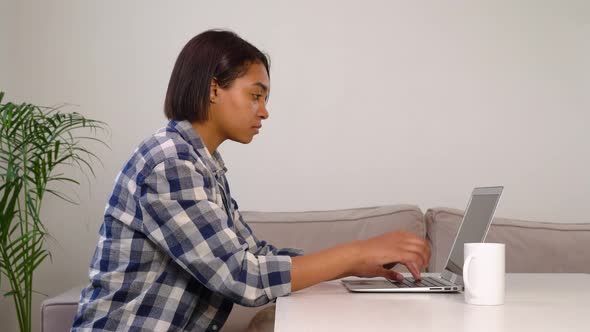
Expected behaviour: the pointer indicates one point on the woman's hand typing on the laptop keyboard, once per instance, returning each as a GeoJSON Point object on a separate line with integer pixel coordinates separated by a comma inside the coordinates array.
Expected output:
{"type": "Point", "coordinates": [377, 254]}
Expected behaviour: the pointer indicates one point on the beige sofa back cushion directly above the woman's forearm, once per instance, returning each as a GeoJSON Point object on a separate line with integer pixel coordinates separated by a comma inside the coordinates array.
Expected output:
{"type": "Point", "coordinates": [316, 230]}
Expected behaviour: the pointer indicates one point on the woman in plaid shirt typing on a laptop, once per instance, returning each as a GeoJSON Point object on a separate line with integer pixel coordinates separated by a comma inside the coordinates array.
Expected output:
{"type": "Point", "coordinates": [174, 252]}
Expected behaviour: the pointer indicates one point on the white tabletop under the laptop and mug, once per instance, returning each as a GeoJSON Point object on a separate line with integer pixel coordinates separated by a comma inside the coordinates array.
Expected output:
{"type": "Point", "coordinates": [534, 302]}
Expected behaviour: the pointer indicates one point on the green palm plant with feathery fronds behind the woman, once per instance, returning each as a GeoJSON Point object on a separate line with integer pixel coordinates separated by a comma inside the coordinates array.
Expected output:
{"type": "Point", "coordinates": [35, 145]}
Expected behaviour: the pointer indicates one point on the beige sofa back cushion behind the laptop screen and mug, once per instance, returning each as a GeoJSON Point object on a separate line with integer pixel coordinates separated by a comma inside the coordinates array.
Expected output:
{"type": "Point", "coordinates": [539, 247]}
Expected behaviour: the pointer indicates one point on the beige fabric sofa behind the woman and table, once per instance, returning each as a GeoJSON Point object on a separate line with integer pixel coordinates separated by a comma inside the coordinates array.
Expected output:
{"type": "Point", "coordinates": [530, 246]}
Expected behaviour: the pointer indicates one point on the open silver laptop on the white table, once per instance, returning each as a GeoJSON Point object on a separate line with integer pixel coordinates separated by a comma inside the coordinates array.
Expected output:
{"type": "Point", "coordinates": [474, 228]}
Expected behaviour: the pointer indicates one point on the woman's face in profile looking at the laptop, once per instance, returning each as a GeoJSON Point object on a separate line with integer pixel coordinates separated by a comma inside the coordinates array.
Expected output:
{"type": "Point", "coordinates": [237, 112]}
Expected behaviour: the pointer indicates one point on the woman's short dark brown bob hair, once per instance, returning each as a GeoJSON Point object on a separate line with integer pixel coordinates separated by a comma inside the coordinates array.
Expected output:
{"type": "Point", "coordinates": [214, 54]}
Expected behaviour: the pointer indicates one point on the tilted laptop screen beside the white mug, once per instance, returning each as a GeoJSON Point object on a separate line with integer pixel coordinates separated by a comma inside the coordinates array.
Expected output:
{"type": "Point", "coordinates": [474, 226]}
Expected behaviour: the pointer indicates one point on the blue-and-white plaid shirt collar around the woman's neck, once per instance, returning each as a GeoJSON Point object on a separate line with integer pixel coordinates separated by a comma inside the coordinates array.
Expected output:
{"type": "Point", "coordinates": [213, 162]}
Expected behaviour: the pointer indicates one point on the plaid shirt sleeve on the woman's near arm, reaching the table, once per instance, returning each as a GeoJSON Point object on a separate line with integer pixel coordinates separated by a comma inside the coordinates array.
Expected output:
{"type": "Point", "coordinates": [195, 233]}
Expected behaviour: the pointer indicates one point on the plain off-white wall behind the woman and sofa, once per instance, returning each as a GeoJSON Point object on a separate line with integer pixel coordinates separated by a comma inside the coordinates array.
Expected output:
{"type": "Point", "coordinates": [372, 102]}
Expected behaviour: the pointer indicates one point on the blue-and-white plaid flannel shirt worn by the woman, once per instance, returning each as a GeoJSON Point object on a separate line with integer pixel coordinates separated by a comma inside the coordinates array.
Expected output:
{"type": "Point", "coordinates": [174, 252]}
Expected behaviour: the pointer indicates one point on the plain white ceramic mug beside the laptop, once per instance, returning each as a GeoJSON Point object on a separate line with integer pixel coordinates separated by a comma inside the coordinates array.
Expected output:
{"type": "Point", "coordinates": [484, 273]}
